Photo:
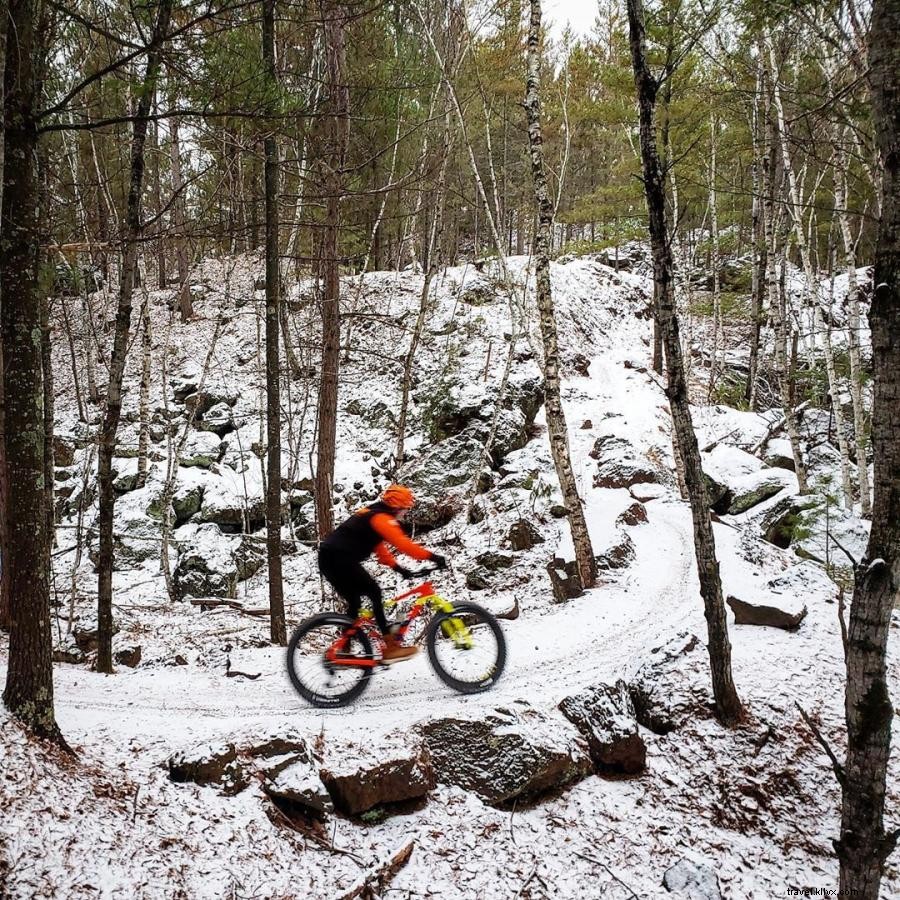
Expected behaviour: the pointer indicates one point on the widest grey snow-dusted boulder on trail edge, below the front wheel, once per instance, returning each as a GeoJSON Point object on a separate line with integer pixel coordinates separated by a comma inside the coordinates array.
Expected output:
{"type": "Point", "coordinates": [506, 755]}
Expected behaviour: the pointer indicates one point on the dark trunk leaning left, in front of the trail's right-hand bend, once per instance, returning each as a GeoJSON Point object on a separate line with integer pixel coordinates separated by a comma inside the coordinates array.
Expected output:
{"type": "Point", "coordinates": [728, 705]}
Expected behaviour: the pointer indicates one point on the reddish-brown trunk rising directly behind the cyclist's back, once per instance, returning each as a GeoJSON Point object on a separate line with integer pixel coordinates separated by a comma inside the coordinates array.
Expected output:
{"type": "Point", "coordinates": [337, 134]}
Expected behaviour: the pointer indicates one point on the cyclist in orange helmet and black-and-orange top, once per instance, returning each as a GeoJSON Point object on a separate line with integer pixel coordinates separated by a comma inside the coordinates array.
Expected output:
{"type": "Point", "coordinates": [368, 530]}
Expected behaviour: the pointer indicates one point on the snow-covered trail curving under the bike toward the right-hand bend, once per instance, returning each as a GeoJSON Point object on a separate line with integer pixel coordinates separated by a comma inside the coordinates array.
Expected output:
{"type": "Point", "coordinates": [594, 638]}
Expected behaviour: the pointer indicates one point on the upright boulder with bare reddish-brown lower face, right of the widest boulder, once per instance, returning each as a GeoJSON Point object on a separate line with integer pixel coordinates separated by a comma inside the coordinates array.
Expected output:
{"type": "Point", "coordinates": [606, 717]}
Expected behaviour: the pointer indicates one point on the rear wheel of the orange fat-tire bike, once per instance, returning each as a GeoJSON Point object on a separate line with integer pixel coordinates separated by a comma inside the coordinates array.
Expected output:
{"type": "Point", "coordinates": [329, 683]}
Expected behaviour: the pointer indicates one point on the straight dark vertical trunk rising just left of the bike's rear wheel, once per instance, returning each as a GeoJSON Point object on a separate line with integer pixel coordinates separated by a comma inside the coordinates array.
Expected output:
{"type": "Point", "coordinates": [273, 360]}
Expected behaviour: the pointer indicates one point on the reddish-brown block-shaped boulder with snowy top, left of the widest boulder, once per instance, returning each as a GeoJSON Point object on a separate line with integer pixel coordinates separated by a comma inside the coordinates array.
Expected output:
{"type": "Point", "coordinates": [380, 777]}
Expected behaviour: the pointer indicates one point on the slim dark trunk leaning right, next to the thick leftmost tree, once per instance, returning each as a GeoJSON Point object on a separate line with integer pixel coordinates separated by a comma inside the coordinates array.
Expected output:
{"type": "Point", "coordinates": [131, 230]}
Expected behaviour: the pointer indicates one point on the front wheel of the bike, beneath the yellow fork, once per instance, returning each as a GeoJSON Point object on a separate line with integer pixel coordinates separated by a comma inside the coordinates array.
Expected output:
{"type": "Point", "coordinates": [466, 648]}
